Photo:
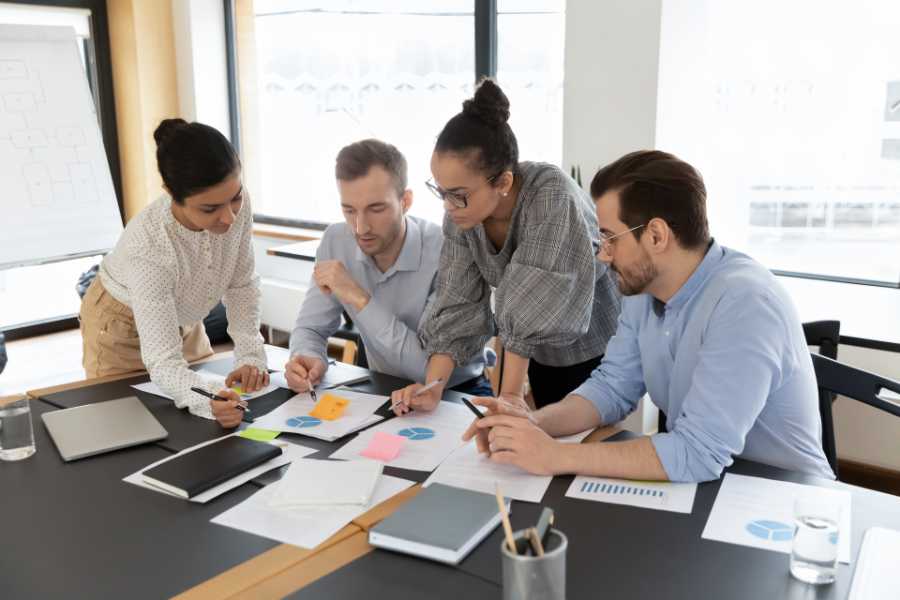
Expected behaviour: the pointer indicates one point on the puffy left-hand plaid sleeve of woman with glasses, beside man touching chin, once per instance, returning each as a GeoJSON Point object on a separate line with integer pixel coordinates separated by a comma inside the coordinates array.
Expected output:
{"type": "Point", "coordinates": [460, 321]}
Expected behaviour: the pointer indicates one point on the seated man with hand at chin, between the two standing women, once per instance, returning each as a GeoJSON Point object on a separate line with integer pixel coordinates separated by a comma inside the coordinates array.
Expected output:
{"type": "Point", "coordinates": [379, 266]}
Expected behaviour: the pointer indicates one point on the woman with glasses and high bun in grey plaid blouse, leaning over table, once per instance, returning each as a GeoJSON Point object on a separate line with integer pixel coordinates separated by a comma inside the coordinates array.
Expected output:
{"type": "Point", "coordinates": [527, 232]}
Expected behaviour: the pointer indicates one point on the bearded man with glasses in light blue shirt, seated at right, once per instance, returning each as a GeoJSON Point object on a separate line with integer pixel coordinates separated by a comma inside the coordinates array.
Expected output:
{"type": "Point", "coordinates": [706, 331]}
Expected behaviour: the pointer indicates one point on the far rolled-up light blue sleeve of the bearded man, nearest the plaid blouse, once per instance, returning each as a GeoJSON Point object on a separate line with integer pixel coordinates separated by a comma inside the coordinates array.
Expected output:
{"type": "Point", "coordinates": [616, 386]}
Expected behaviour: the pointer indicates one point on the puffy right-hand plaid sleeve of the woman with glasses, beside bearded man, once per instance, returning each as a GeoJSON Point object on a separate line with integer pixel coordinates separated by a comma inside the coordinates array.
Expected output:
{"type": "Point", "coordinates": [546, 294]}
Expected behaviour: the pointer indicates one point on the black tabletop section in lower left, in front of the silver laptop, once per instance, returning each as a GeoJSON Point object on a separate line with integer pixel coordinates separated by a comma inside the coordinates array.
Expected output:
{"type": "Point", "coordinates": [75, 530]}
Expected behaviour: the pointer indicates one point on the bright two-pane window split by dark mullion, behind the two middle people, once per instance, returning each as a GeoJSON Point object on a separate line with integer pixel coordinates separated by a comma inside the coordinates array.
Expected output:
{"type": "Point", "coordinates": [331, 73]}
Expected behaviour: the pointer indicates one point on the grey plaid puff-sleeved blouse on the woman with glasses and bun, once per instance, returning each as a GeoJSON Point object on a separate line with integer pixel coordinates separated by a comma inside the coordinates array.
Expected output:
{"type": "Point", "coordinates": [553, 301]}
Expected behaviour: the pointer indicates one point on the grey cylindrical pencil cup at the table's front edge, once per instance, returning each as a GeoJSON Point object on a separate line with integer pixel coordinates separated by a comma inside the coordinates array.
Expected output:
{"type": "Point", "coordinates": [528, 577]}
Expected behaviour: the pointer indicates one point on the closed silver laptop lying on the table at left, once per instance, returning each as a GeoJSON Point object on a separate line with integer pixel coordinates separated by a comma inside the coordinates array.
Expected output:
{"type": "Point", "coordinates": [96, 428]}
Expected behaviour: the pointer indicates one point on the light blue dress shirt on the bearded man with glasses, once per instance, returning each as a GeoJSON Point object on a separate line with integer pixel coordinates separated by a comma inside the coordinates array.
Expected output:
{"type": "Point", "coordinates": [727, 361]}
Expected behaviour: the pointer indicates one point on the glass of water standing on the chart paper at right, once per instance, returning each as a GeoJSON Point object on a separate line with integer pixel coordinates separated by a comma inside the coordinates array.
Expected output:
{"type": "Point", "coordinates": [816, 535]}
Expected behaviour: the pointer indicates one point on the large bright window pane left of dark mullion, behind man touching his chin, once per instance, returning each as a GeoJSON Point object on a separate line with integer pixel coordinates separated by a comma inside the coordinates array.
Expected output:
{"type": "Point", "coordinates": [331, 73]}
